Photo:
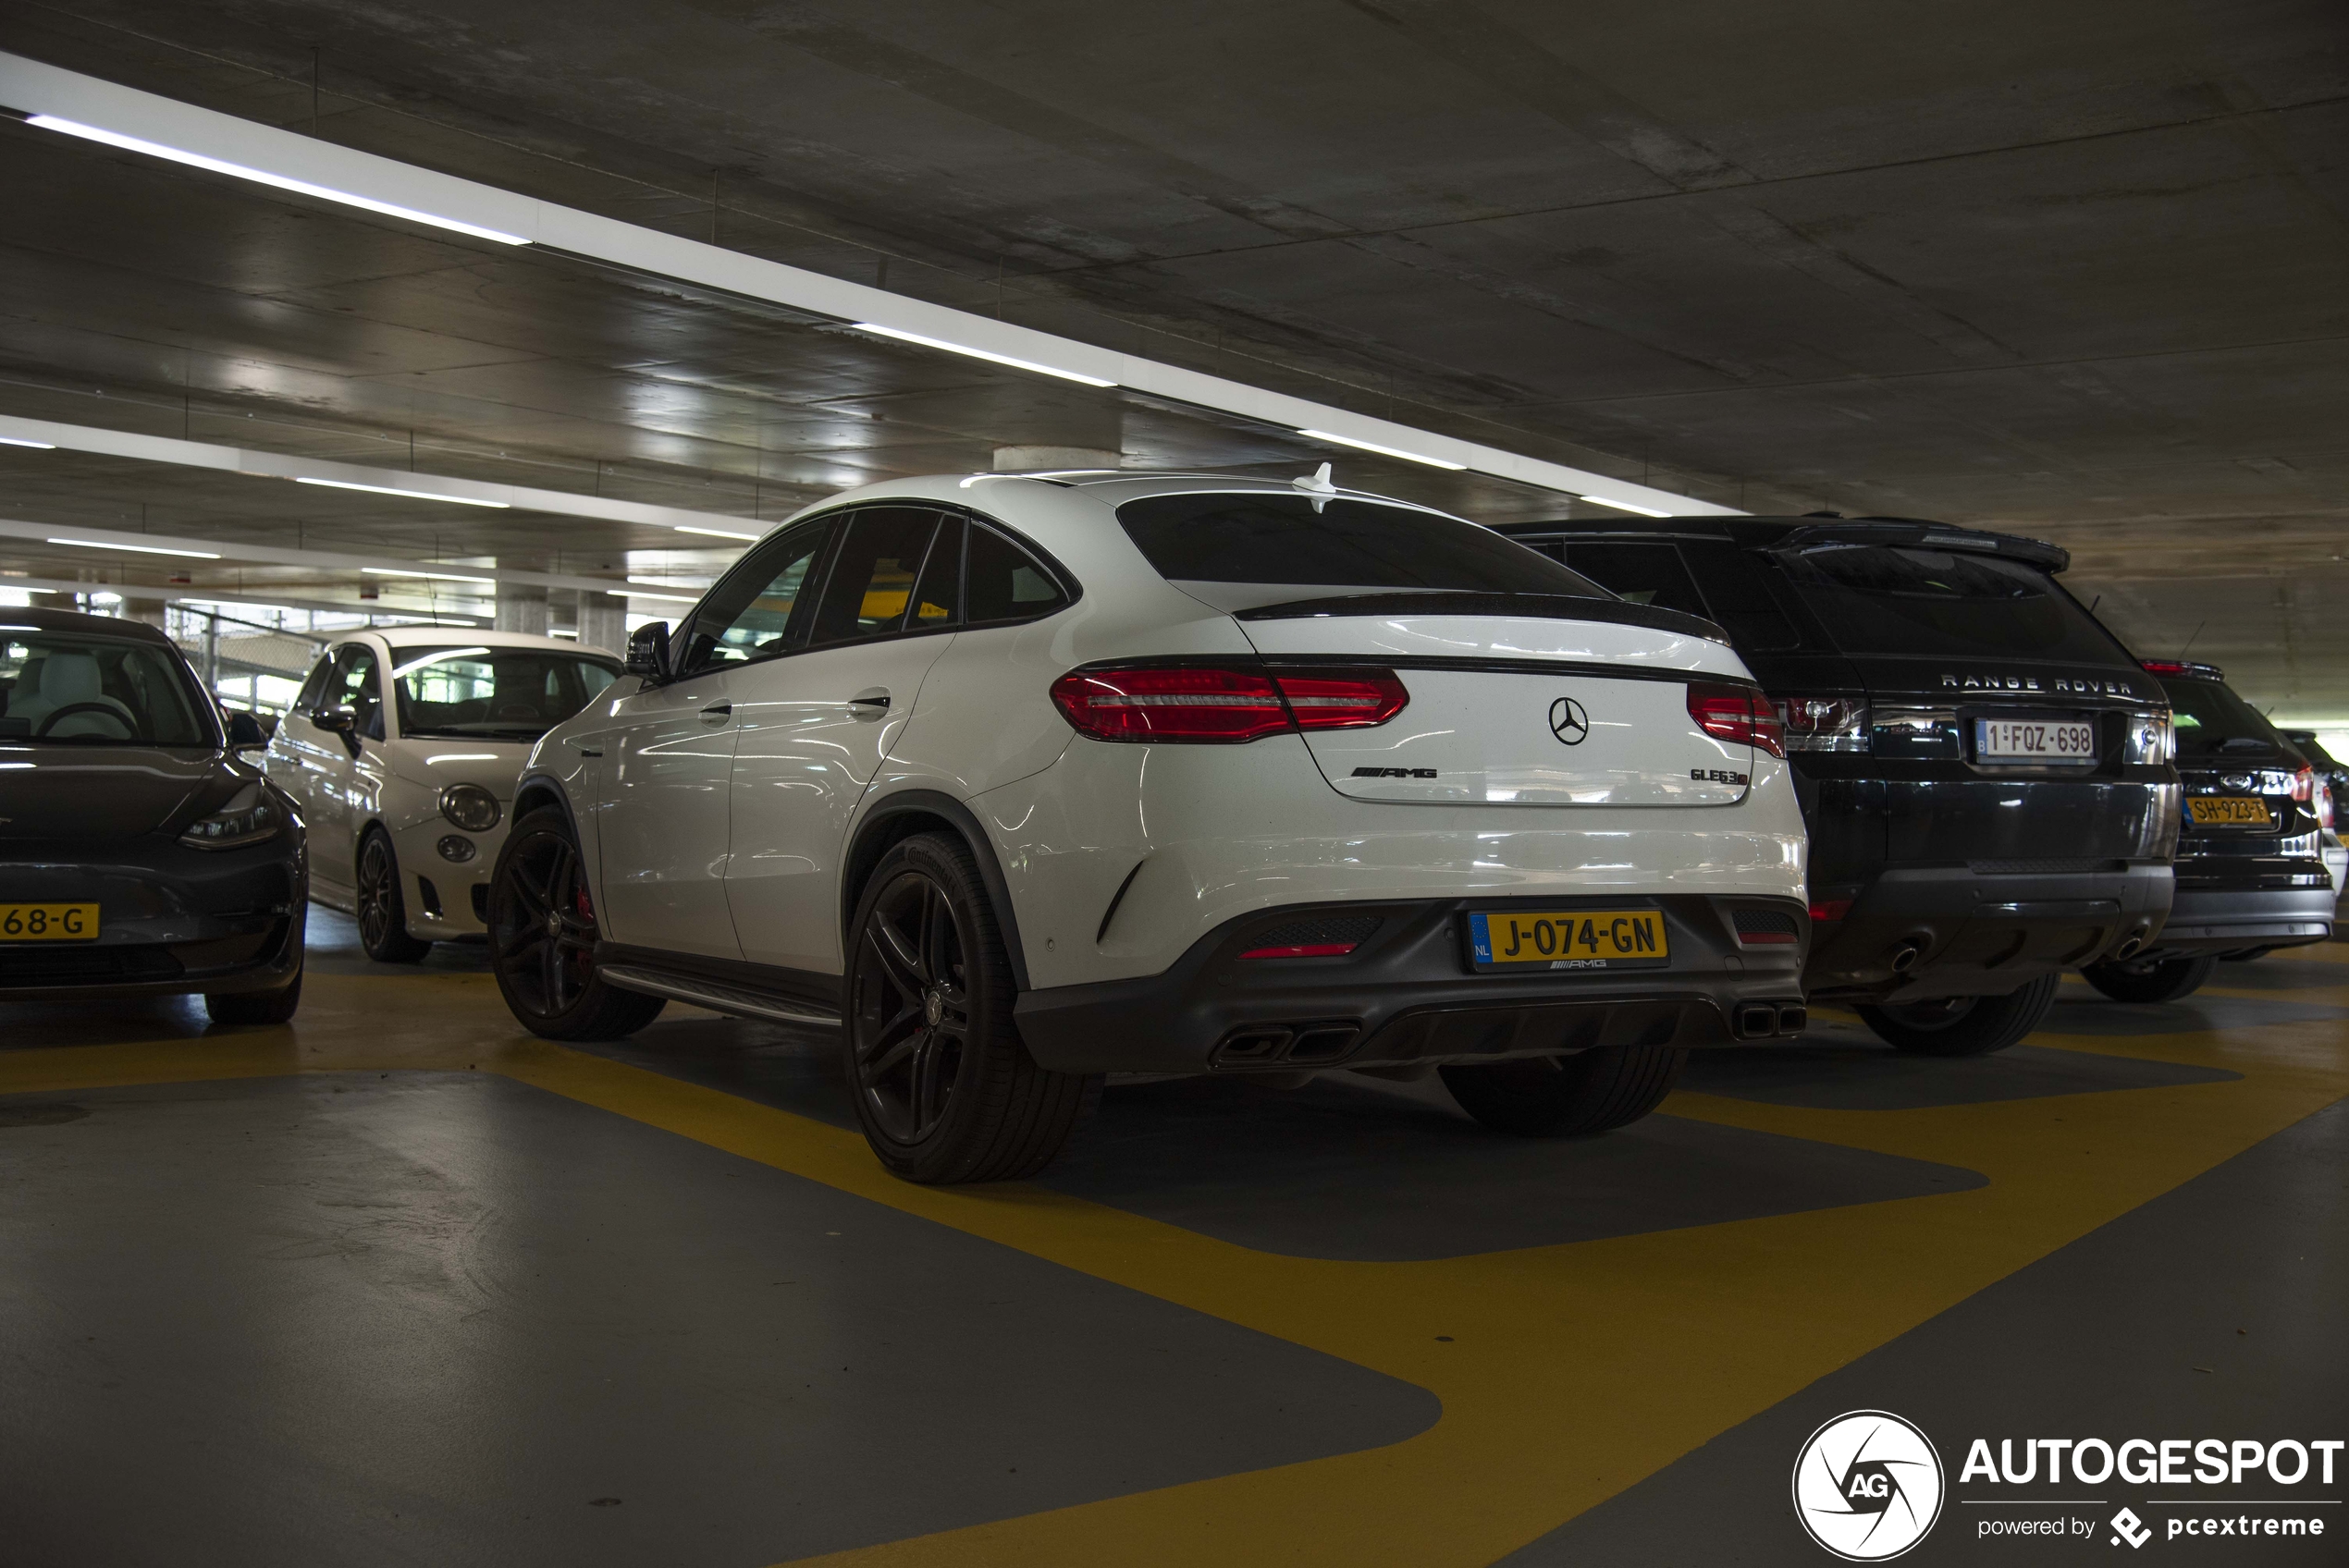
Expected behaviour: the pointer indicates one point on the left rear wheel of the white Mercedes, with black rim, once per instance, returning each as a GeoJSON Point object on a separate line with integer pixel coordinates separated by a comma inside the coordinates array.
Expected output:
{"type": "Point", "coordinates": [945, 1090]}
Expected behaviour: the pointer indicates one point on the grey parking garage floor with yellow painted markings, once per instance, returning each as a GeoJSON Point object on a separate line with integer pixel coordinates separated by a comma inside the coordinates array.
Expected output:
{"type": "Point", "coordinates": [398, 1285]}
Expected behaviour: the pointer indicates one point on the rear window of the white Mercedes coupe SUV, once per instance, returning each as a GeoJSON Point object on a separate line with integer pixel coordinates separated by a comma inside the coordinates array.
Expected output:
{"type": "Point", "coordinates": [1335, 543]}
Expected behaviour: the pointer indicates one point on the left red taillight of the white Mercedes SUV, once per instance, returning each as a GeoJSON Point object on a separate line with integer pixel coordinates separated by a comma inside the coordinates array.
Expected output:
{"type": "Point", "coordinates": [1223, 705]}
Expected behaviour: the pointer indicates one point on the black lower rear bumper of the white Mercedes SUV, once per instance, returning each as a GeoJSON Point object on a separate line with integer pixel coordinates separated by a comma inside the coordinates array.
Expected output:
{"type": "Point", "coordinates": [1408, 996]}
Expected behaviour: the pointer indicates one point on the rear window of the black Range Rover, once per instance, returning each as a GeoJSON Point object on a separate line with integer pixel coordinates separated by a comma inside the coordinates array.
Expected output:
{"type": "Point", "coordinates": [1904, 600]}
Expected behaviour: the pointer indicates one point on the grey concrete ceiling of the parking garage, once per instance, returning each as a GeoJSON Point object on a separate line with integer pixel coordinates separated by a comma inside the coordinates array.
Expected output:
{"type": "Point", "coordinates": [2073, 269]}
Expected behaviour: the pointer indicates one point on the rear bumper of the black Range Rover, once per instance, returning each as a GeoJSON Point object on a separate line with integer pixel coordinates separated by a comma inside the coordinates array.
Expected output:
{"type": "Point", "coordinates": [1925, 933]}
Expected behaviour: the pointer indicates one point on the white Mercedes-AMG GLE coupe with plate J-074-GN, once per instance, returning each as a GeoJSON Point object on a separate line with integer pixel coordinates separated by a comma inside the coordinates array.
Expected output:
{"type": "Point", "coordinates": [1025, 780]}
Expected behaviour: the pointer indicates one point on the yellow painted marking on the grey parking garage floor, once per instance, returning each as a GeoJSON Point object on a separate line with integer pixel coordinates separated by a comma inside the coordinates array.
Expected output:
{"type": "Point", "coordinates": [1570, 1372]}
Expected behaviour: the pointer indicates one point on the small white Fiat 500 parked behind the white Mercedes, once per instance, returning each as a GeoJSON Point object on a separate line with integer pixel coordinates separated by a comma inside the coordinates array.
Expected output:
{"type": "Point", "coordinates": [403, 752]}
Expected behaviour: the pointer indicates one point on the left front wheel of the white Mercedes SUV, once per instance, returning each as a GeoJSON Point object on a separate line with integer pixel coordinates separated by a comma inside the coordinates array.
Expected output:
{"type": "Point", "coordinates": [544, 933]}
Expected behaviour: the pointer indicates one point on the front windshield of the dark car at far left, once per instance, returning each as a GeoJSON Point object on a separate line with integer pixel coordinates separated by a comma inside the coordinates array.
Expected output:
{"type": "Point", "coordinates": [95, 691]}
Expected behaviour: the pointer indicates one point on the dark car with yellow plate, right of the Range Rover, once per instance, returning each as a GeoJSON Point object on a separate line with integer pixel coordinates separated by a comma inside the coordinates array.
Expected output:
{"type": "Point", "coordinates": [2252, 872]}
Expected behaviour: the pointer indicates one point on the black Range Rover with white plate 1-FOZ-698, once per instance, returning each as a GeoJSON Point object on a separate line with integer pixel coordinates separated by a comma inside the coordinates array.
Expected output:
{"type": "Point", "coordinates": [1984, 769]}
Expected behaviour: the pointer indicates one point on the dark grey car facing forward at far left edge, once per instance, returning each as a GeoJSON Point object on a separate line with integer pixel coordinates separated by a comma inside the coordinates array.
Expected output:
{"type": "Point", "coordinates": [140, 853]}
